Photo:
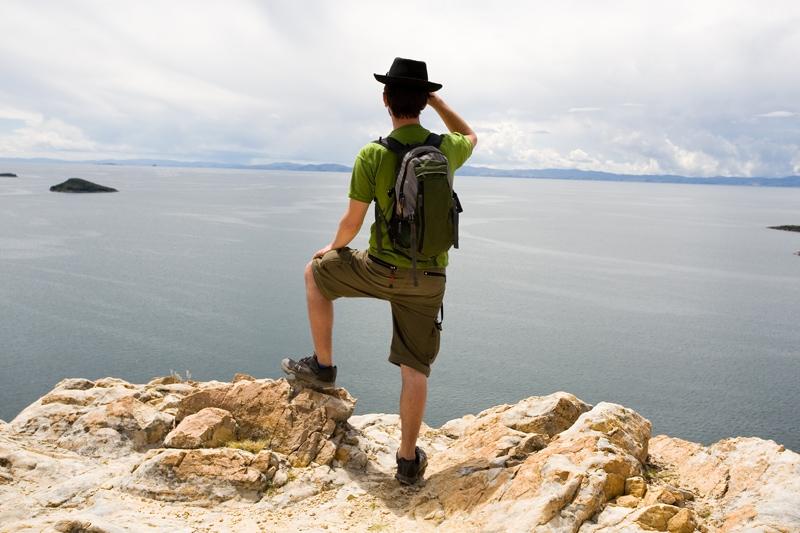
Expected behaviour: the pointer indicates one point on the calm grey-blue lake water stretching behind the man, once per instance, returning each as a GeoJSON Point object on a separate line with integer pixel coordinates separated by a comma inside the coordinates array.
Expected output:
{"type": "Point", "coordinates": [674, 300]}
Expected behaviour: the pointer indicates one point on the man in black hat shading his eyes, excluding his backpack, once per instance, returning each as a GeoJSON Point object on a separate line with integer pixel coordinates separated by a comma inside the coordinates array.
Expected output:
{"type": "Point", "coordinates": [383, 272]}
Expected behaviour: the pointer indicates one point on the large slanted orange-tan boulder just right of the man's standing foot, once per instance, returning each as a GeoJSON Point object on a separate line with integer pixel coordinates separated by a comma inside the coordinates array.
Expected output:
{"type": "Point", "coordinates": [583, 465]}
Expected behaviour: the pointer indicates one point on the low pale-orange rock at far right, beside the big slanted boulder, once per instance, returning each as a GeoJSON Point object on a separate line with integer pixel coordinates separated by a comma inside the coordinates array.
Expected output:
{"type": "Point", "coordinates": [741, 484]}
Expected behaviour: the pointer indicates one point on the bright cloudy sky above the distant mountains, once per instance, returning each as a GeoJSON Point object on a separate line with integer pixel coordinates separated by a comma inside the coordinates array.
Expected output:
{"type": "Point", "coordinates": [700, 88]}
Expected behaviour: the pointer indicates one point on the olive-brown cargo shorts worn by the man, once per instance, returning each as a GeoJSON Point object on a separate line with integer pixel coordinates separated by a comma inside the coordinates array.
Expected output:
{"type": "Point", "coordinates": [415, 333]}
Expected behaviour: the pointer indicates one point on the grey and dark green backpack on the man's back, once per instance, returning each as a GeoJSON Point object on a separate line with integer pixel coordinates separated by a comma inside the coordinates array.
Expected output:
{"type": "Point", "coordinates": [424, 213]}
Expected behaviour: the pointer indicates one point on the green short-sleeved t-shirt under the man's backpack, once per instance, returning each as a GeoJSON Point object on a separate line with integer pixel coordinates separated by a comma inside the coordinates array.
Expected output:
{"type": "Point", "coordinates": [374, 175]}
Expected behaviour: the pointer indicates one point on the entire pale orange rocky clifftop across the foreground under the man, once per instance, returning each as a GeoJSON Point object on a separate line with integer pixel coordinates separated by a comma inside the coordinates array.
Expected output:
{"type": "Point", "coordinates": [256, 454]}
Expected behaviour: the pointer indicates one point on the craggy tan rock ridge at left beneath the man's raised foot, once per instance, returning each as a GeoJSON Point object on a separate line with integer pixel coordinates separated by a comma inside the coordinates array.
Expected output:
{"type": "Point", "coordinates": [110, 417]}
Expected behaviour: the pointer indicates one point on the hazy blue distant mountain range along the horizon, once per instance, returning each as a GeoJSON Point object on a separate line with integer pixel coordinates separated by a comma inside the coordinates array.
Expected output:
{"type": "Point", "coordinates": [562, 174]}
